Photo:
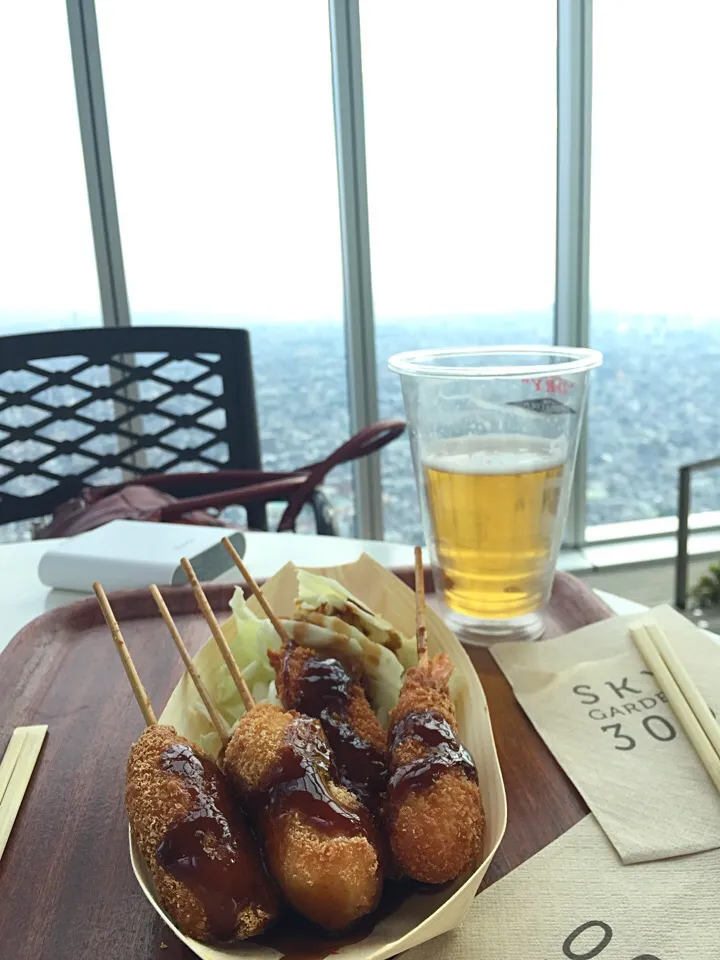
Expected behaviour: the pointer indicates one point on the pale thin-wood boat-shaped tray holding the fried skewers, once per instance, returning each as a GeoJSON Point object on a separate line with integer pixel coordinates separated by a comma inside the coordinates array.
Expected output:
{"type": "Point", "coordinates": [417, 918]}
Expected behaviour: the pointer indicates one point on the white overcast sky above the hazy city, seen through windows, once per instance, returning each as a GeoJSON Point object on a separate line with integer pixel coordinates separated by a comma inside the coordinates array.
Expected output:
{"type": "Point", "coordinates": [222, 136]}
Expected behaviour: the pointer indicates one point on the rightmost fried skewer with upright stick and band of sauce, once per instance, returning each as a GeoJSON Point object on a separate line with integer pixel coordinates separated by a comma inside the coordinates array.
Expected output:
{"type": "Point", "coordinates": [433, 810]}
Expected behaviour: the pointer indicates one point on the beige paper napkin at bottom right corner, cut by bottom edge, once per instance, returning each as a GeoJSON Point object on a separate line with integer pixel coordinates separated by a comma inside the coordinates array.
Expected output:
{"type": "Point", "coordinates": [576, 901]}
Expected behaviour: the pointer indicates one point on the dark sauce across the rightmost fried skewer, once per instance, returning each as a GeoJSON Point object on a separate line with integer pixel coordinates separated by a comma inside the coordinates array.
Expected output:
{"type": "Point", "coordinates": [444, 753]}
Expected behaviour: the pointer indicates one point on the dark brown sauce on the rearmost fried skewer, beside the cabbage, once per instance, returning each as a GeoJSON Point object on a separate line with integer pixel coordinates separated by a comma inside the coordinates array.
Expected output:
{"type": "Point", "coordinates": [323, 690]}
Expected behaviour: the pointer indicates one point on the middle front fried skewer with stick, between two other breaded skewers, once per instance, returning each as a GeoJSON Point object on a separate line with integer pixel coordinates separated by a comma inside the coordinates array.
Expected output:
{"type": "Point", "coordinates": [320, 842]}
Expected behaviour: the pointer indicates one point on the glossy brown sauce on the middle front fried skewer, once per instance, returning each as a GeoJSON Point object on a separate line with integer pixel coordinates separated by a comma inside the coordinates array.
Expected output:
{"type": "Point", "coordinates": [300, 782]}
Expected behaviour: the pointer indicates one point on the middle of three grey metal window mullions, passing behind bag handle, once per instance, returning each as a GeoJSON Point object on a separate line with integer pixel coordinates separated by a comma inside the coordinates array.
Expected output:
{"type": "Point", "coordinates": [355, 238]}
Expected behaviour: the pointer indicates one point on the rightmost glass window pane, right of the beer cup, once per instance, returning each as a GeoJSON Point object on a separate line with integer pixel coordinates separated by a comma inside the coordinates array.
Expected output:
{"type": "Point", "coordinates": [654, 250]}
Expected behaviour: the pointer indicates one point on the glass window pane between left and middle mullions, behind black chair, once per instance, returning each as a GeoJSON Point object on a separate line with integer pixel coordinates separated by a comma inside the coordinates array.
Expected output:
{"type": "Point", "coordinates": [222, 136]}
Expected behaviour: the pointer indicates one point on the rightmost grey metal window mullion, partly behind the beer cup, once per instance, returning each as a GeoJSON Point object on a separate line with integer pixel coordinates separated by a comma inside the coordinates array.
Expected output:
{"type": "Point", "coordinates": [574, 103]}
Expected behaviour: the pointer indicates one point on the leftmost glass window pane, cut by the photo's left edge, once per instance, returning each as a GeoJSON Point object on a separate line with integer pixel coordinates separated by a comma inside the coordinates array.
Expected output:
{"type": "Point", "coordinates": [47, 258]}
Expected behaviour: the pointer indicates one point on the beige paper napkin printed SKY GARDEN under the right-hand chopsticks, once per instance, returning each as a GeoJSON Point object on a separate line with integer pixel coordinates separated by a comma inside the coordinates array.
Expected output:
{"type": "Point", "coordinates": [598, 708]}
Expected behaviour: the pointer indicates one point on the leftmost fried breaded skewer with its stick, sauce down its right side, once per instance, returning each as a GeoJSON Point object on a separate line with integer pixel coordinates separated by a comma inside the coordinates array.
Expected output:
{"type": "Point", "coordinates": [206, 865]}
